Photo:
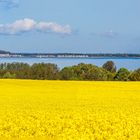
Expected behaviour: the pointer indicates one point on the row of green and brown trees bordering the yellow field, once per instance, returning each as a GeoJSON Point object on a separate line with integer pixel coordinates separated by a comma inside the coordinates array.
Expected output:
{"type": "Point", "coordinates": [49, 71]}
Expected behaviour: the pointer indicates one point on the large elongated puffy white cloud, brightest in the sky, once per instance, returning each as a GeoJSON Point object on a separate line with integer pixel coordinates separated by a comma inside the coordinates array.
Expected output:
{"type": "Point", "coordinates": [27, 25]}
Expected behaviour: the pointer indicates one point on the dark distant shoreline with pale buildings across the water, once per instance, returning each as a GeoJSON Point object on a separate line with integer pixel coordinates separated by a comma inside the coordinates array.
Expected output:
{"type": "Point", "coordinates": [69, 55]}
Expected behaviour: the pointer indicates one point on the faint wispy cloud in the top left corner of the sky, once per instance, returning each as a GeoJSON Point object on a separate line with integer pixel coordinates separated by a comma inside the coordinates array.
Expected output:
{"type": "Point", "coordinates": [10, 3]}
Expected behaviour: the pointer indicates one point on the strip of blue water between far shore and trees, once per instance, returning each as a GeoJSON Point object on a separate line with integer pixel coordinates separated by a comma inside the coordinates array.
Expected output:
{"type": "Point", "coordinates": [129, 63]}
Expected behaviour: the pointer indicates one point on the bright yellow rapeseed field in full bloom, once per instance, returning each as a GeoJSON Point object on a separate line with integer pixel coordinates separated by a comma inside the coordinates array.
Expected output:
{"type": "Point", "coordinates": [69, 110]}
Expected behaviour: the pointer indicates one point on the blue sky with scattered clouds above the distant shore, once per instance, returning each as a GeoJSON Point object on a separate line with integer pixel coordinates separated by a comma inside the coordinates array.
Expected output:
{"type": "Point", "coordinates": [91, 26]}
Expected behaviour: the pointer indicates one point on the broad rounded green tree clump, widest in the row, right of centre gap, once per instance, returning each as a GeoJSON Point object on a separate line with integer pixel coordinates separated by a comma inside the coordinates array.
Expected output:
{"type": "Point", "coordinates": [85, 72]}
